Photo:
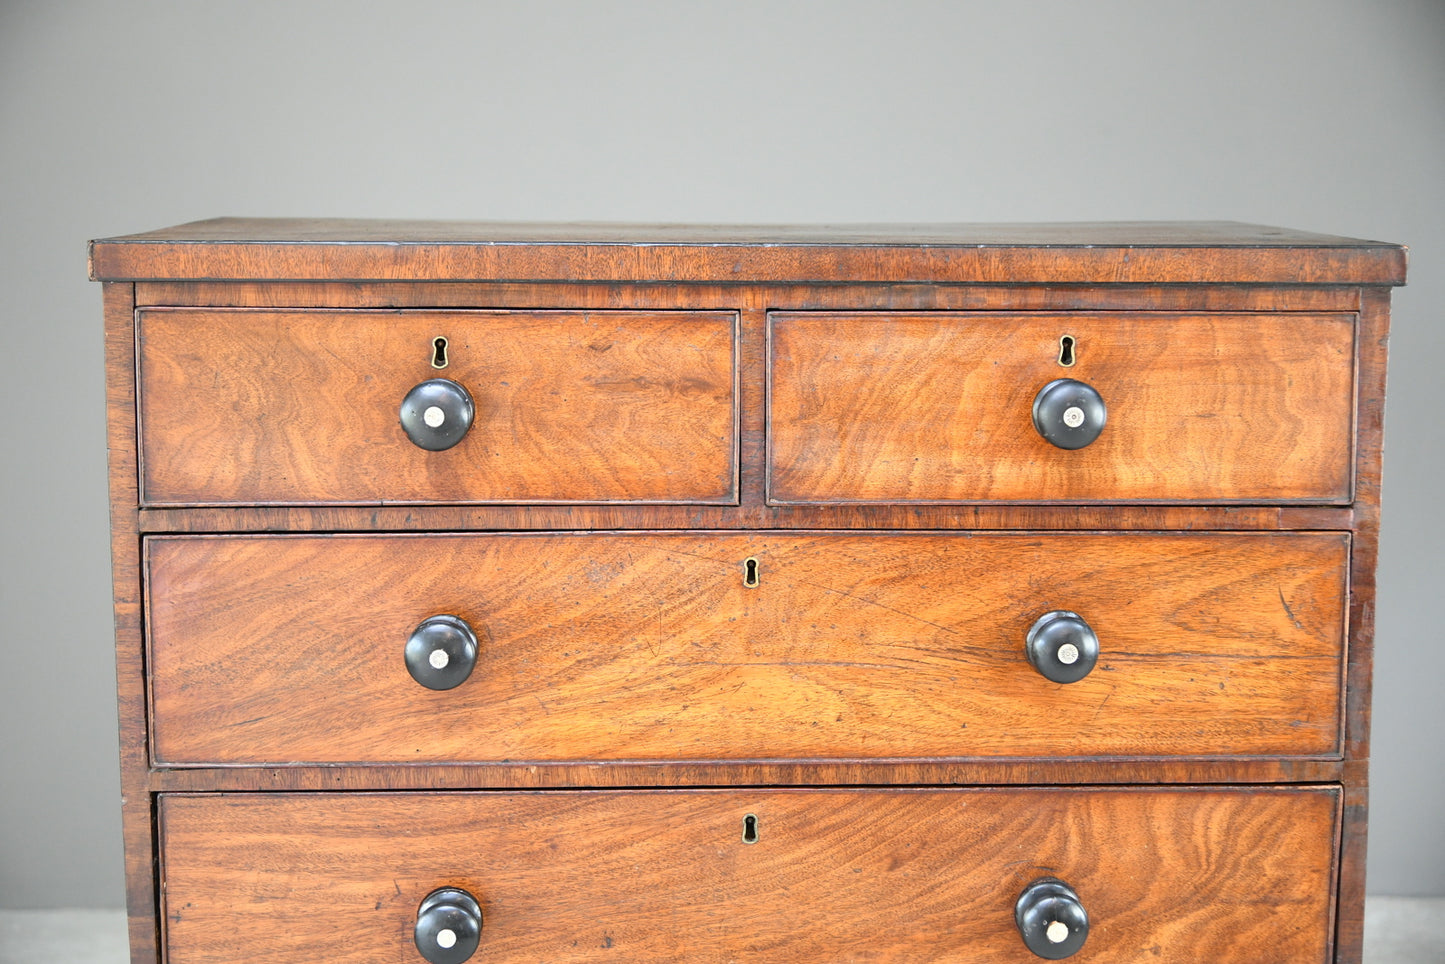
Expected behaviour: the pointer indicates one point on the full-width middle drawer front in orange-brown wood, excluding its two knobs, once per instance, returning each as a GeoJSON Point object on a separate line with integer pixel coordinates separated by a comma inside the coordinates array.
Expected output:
{"type": "Point", "coordinates": [651, 647]}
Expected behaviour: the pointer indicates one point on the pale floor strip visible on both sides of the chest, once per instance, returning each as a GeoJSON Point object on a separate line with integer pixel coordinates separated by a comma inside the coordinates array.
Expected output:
{"type": "Point", "coordinates": [1397, 931]}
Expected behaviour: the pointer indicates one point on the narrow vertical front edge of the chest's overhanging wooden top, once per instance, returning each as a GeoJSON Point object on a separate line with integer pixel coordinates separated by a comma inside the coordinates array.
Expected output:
{"type": "Point", "coordinates": [746, 265]}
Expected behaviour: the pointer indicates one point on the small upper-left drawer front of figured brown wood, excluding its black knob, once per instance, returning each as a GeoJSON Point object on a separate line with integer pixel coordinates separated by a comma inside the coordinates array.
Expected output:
{"type": "Point", "coordinates": [303, 407]}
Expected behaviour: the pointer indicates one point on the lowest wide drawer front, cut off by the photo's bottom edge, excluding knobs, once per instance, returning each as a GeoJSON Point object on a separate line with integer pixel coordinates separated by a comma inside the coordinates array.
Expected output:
{"type": "Point", "coordinates": [756, 875]}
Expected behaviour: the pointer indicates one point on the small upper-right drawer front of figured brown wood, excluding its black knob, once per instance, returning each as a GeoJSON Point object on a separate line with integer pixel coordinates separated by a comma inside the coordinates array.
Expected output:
{"type": "Point", "coordinates": [1228, 408]}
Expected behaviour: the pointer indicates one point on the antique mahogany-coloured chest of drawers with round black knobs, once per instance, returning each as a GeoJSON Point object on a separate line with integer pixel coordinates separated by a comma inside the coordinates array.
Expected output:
{"type": "Point", "coordinates": [570, 593]}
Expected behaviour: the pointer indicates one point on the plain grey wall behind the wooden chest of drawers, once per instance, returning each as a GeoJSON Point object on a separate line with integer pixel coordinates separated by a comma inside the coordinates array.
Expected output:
{"type": "Point", "coordinates": [118, 118]}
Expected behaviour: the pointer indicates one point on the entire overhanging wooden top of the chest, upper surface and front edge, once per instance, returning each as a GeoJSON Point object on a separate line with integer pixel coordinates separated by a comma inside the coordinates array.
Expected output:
{"type": "Point", "coordinates": [1102, 254]}
